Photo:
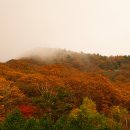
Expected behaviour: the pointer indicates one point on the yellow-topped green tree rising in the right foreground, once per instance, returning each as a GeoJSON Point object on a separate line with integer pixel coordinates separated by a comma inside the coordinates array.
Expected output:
{"type": "Point", "coordinates": [86, 117]}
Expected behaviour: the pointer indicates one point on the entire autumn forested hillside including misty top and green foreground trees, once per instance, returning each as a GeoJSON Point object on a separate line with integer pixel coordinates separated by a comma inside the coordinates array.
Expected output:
{"type": "Point", "coordinates": [57, 89]}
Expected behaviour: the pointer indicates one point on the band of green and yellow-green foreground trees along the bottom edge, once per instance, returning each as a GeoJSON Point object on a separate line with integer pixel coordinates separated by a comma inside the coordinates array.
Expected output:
{"type": "Point", "coordinates": [84, 118]}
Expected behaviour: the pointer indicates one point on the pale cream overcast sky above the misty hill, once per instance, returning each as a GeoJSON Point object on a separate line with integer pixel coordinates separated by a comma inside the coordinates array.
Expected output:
{"type": "Point", "coordinates": [92, 26]}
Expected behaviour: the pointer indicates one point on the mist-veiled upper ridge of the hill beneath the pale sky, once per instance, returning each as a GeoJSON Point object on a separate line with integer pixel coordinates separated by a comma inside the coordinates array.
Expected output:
{"type": "Point", "coordinates": [81, 60]}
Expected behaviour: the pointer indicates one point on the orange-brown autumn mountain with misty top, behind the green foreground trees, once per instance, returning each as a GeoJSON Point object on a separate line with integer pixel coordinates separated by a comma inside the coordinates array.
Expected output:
{"type": "Point", "coordinates": [56, 81]}
